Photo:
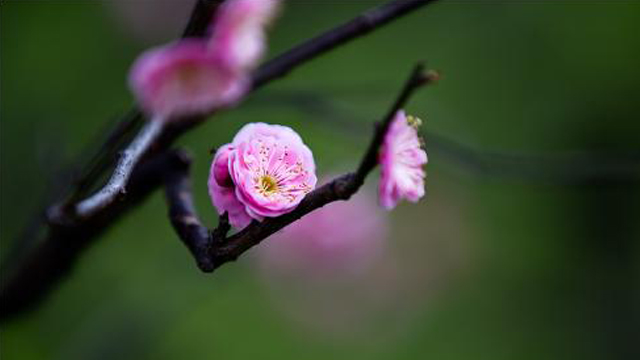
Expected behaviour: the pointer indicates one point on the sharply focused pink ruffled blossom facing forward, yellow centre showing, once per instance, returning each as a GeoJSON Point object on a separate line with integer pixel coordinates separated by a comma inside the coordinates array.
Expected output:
{"type": "Point", "coordinates": [264, 172]}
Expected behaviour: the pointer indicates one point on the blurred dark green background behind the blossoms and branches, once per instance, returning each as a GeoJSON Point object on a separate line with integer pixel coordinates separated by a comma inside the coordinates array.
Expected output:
{"type": "Point", "coordinates": [526, 245]}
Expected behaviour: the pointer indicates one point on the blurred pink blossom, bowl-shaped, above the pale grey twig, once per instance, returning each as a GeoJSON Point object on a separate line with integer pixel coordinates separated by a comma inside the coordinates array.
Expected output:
{"type": "Point", "coordinates": [182, 79]}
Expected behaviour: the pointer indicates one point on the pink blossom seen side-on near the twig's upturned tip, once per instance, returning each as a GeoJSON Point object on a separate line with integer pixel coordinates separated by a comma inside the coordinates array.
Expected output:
{"type": "Point", "coordinates": [402, 159]}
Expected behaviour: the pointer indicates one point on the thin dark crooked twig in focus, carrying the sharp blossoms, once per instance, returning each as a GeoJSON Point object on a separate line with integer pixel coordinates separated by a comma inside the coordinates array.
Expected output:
{"type": "Point", "coordinates": [215, 250]}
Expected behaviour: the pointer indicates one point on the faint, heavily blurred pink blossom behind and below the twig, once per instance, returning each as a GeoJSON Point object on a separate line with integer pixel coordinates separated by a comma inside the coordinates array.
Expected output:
{"type": "Point", "coordinates": [340, 239]}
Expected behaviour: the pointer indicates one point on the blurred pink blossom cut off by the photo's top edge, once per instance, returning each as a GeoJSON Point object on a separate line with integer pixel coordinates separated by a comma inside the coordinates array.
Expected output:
{"type": "Point", "coordinates": [238, 34]}
